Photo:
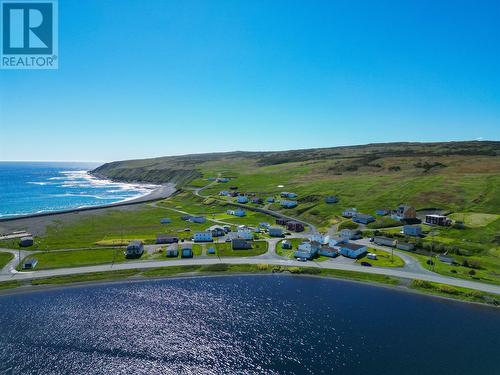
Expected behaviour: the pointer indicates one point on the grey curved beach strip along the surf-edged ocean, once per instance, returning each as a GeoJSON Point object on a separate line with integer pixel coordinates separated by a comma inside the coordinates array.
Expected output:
{"type": "Point", "coordinates": [161, 192]}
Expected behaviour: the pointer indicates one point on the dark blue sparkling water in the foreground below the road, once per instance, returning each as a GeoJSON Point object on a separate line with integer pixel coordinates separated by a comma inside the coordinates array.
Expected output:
{"type": "Point", "coordinates": [244, 325]}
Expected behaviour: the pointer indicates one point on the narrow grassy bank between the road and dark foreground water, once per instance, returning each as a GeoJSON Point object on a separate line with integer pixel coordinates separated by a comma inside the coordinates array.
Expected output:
{"type": "Point", "coordinates": [27, 289]}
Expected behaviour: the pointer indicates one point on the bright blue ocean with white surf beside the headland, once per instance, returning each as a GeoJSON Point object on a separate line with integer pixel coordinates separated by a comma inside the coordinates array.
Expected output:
{"type": "Point", "coordinates": [28, 187]}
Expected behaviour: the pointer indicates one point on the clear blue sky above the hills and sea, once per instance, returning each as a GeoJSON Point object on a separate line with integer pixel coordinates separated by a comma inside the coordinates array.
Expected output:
{"type": "Point", "coordinates": [152, 78]}
